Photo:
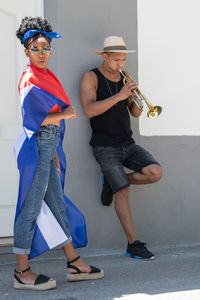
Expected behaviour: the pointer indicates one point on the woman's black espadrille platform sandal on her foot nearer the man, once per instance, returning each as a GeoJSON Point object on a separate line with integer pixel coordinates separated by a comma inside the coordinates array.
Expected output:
{"type": "Point", "coordinates": [95, 273]}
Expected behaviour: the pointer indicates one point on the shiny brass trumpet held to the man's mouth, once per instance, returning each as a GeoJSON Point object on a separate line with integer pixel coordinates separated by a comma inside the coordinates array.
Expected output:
{"type": "Point", "coordinates": [139, 98]}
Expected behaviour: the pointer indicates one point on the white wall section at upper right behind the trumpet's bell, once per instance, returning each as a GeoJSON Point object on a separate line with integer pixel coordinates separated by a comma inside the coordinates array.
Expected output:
{"type": "Point", "coordinates": [169, 64]}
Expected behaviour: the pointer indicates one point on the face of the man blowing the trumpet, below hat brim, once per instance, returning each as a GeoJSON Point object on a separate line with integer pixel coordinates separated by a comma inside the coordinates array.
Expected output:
{"type": "Point", "coordinates": [114, 61]}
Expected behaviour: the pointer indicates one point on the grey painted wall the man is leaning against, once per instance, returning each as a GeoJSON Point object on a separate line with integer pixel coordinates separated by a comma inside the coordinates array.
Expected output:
{"type": "Point", "coordinates": [164, 213]}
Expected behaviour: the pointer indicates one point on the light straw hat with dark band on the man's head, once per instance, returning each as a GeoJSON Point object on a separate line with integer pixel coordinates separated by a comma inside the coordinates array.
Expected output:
{"type": "Point", "coordinates": [114, 44]}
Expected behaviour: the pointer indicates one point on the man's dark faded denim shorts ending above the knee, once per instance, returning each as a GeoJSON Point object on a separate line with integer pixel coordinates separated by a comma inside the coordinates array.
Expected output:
{"type": "Point", "coordinates": [113, 160]}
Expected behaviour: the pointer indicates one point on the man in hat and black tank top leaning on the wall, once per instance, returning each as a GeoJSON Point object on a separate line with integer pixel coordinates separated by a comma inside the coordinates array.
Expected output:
{"type": "Point", "coordinates": [107, 102]}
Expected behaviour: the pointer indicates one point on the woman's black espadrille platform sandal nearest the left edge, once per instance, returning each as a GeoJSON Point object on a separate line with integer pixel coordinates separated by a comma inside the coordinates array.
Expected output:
{"type": "Point", "coordinates": [41, 283]}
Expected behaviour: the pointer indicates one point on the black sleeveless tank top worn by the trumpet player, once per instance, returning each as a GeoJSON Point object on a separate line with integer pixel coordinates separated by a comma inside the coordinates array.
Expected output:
{"type": "Point", "coordinates": [112, 128]}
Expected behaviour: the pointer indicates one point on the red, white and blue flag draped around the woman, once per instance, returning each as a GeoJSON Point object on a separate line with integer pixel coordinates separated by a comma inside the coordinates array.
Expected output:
{"type": "Point", "coordinates": [39, 92]}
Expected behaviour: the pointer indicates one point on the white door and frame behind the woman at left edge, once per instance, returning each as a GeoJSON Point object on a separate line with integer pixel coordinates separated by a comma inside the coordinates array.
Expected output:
{"type": "Point", "coordinates": [12, 64]}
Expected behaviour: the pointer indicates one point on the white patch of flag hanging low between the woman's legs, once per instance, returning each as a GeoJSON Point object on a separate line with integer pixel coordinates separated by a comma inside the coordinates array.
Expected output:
{"type": "Point", "coordinates": [49, 227]}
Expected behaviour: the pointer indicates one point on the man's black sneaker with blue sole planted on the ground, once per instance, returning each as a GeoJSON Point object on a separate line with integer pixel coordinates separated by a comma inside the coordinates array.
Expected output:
{"type": "Point", "coordinates": [139, 250]}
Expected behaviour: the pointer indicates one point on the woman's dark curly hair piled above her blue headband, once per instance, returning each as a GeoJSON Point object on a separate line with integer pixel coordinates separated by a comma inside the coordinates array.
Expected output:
{"type": "Point", "coordinates": [29, 23]}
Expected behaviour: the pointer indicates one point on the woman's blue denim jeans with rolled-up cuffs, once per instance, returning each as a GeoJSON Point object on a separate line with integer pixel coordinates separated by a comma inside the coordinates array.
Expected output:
{"type": "Point", "coordinates": [46, 186]}
